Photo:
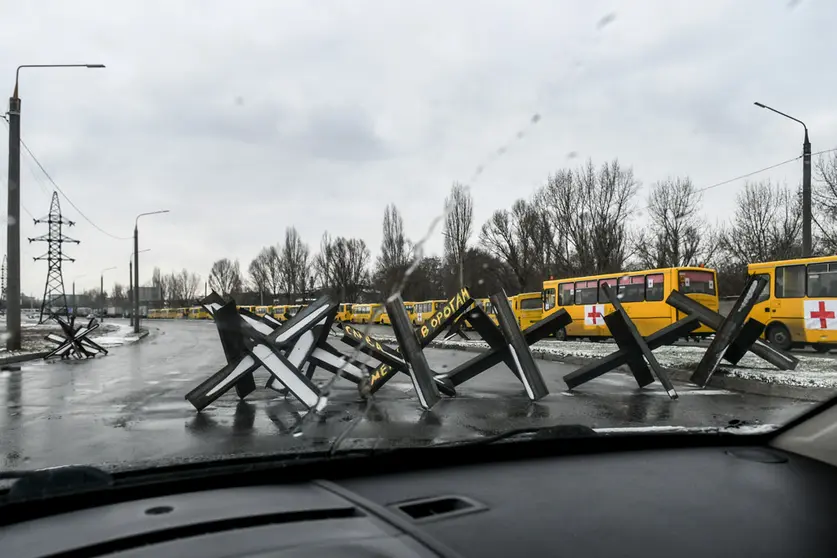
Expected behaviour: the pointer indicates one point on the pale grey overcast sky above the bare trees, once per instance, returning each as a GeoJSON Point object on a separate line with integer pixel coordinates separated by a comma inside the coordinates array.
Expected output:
{"type": "Point", "coordinates": [245, 118]}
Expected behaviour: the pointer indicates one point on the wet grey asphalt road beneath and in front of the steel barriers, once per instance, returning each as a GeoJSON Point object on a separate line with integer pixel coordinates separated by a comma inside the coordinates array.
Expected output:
{"type": "Point", "coordinates": [129, 407]}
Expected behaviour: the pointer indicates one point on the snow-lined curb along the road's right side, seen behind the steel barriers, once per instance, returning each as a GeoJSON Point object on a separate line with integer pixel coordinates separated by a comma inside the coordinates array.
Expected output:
{"type": "Point", "coordinates": [718, 381]}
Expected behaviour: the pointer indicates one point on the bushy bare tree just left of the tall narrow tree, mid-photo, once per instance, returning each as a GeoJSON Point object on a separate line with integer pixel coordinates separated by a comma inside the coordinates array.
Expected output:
{"type": "Point", "coordinates": [342, 266]}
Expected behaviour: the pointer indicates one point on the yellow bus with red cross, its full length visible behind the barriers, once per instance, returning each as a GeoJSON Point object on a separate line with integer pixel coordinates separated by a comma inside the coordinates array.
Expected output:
{"type": "Point", "coordinates": [643, 295]}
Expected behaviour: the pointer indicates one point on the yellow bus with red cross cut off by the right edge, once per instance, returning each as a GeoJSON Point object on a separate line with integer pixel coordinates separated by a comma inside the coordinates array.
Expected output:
{"type": "Point", "coordinates": [799, 305]}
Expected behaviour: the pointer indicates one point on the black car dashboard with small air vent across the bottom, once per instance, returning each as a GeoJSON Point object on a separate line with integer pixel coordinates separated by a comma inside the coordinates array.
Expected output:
{"type": "Point", "coordinates": [723, 500]}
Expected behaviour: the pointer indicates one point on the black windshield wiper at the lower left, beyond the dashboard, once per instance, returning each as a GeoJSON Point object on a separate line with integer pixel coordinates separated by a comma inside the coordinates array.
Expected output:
{"type": "Point", "coordinates": [54, 481]}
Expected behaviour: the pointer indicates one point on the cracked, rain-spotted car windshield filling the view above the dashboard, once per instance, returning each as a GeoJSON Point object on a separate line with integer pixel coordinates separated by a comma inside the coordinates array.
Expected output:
{"type": "Point", "coordinates": [282, 228]}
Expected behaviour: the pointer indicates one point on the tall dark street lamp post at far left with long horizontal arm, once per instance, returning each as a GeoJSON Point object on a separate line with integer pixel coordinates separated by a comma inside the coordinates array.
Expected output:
{"type": "Point", "coordinates": [13, 222]}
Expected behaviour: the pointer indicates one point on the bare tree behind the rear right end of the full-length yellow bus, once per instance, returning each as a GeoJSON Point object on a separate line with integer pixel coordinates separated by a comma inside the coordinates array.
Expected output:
{"type": "Point", "coordinates": [677, 234]}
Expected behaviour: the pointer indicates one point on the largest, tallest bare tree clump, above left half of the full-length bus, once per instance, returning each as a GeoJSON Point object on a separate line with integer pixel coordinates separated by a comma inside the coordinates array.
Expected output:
{"type": "Point", "coordinates": [590, 210]}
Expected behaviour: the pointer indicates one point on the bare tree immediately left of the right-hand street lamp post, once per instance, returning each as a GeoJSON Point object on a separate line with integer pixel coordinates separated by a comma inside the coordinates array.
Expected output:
{"type": "Point", "coordinates": [767, 224]}
